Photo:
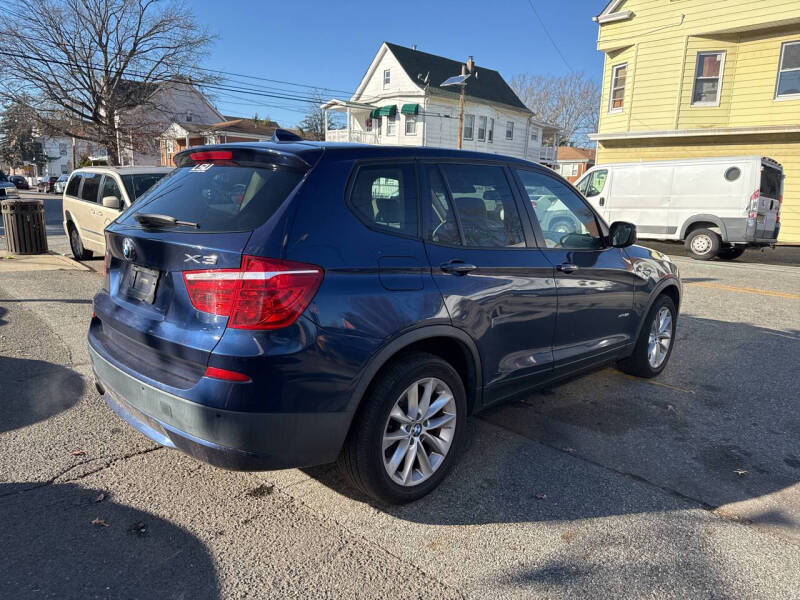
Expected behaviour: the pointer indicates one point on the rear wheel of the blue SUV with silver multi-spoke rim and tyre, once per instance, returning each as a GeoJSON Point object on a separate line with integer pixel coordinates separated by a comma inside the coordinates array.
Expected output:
{"type": "Point", "coordinates": [408, 431]}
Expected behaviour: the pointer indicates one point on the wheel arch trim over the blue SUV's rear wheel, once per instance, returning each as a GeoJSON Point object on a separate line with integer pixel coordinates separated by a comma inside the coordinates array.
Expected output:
{"type": "Point", "coordinates": [445, 341]}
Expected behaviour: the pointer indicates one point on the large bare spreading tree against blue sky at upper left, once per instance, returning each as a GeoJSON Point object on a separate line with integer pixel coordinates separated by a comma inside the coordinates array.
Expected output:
{"type": "Point", "coordinates": [81, 64]}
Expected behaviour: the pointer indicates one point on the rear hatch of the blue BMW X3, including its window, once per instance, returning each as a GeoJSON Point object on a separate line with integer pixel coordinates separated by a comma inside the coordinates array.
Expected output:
{"type": "Point", "coordinates": [200, 217]}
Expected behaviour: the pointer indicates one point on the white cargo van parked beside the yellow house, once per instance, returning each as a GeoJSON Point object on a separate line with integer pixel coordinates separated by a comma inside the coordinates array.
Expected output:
{"type": "Point", "coordinates": [718, 206]}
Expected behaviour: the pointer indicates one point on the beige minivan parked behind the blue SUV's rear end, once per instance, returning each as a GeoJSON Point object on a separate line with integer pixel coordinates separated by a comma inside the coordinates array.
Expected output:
{"type": "Point", "coordinates": [95, 196]}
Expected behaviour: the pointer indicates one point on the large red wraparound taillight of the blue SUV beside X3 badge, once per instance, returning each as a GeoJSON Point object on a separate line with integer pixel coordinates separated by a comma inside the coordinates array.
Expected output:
{"type": "Point", "coordinates": [265, 293]}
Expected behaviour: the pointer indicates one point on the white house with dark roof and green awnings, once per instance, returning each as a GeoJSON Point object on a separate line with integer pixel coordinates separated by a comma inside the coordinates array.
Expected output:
{"type": "Point", "coordinates": [400, 101]}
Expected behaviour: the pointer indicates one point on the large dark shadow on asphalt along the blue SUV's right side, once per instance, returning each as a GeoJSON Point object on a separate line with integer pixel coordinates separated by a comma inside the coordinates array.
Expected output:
{"type": "Point", "coordinates": [719, 425]}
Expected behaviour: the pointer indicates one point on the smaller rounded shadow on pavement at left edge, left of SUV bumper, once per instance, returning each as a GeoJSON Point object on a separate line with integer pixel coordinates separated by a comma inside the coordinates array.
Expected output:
{"type": "Point", "coordinates": [35, 390]}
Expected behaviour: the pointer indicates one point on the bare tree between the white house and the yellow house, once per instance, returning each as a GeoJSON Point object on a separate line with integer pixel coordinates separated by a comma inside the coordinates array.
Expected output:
{"type": "Point", "coordinates": [571, 101]}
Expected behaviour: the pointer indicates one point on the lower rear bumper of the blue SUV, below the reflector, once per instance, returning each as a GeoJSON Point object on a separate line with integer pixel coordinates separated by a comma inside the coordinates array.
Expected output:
{"type": "Point", "coordinates": [235, 440]}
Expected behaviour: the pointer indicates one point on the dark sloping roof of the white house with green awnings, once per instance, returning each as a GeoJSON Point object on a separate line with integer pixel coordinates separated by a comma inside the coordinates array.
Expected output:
{"type": "Point", "coordinates": [487, 85]}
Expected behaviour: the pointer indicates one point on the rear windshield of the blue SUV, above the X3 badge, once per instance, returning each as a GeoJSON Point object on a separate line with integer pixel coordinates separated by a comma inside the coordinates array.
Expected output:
{"type": "Point", "coordinates": [218, 198]}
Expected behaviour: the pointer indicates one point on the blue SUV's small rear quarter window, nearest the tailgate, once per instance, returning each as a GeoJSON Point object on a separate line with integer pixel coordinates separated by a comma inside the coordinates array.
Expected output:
{"type": "Point", "coordinates": [384, 197]}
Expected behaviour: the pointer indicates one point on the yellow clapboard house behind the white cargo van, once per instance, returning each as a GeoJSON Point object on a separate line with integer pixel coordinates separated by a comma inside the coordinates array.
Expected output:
{"type": "Point", "coordinates": [700, 78]}
